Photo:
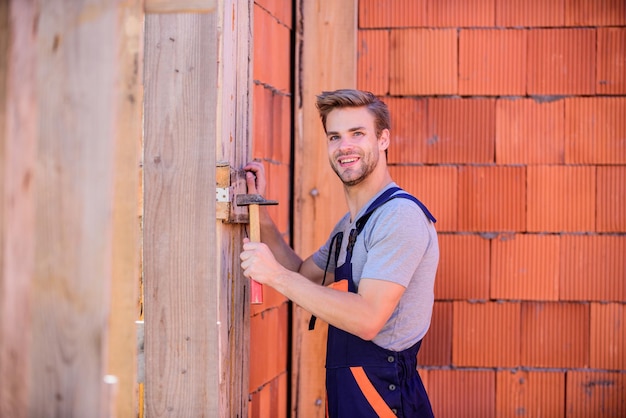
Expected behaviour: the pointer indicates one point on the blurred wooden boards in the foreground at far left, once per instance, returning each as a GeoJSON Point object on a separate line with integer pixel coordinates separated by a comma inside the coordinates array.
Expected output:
{"type": "Point", "coordinates": [71, 112]}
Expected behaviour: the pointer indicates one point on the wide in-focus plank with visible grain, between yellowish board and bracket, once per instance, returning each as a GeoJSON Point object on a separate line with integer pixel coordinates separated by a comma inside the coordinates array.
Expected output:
{"type": "Point", "coordinates": [181, 302]}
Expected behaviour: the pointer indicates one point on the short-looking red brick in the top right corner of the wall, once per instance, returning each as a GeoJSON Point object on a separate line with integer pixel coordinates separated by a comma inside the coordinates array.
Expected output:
{"type": "Point", "coordinates": [595, 13]}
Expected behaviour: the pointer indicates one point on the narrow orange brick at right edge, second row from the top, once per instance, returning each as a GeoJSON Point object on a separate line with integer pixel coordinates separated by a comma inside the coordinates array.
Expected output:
{"type": "Point", "coordinates": [611, 55]}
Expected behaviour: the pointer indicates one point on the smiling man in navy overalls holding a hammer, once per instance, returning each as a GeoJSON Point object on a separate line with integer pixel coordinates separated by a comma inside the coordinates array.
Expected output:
{"type": "Point", "coordinates": [381, 259]}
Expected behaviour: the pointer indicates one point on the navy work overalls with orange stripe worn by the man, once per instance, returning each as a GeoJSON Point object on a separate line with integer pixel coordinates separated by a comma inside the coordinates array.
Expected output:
{"type": "Point", "coordinates": [363, 379]}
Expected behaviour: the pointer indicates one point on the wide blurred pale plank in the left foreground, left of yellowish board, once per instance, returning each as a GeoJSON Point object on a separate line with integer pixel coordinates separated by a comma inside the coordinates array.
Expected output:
{"type": "Point", "coordinates": [76, 83]}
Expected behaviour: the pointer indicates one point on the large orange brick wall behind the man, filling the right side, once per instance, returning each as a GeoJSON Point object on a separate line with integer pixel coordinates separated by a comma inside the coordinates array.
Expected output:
{"type": "Point", "coordinates": [509, 122]}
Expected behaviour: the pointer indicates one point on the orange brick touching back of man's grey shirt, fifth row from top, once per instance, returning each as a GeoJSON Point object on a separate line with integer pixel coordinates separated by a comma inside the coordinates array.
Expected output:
{"type": "Point", "coordinates": [463, 271]}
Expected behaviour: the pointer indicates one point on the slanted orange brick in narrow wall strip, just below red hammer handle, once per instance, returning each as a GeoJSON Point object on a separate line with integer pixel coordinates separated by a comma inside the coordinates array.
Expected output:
{"type": "Point", "coordinates": [268, 342]}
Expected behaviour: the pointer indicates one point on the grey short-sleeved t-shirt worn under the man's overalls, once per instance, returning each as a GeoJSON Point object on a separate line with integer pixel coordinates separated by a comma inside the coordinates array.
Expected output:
{"type": "Point", "coordinates": [398, 244]}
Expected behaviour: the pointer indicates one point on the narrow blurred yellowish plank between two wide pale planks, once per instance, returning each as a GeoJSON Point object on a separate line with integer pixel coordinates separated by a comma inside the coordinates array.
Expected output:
{"type": "Point", "coordinates": [122, 345]}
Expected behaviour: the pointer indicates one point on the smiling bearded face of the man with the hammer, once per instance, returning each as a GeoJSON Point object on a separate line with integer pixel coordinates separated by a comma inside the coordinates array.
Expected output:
{"type": "Point", "coordinates": [353, 149]}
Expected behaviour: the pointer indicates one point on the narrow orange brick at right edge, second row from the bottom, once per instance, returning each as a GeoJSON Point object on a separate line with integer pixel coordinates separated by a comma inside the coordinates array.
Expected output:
{"type": "Point", "coordinates": [608, 336]}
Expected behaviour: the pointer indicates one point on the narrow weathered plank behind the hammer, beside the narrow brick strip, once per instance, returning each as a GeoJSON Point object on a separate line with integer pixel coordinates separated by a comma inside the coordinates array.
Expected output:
{"type": "Point", "coordinates": [233, 145]}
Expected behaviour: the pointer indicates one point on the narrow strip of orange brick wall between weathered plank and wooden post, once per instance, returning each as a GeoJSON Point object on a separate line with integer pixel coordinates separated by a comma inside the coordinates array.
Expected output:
{"type": "Point", "coordinates": [272, 109]}
